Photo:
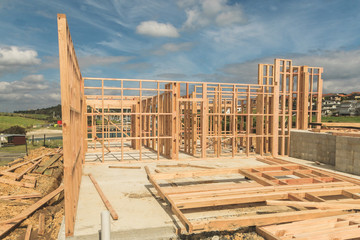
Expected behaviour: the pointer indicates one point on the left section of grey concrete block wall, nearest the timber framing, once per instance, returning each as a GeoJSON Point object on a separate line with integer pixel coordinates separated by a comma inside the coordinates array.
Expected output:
{"type": "Point", "coordinates": [313, 146]}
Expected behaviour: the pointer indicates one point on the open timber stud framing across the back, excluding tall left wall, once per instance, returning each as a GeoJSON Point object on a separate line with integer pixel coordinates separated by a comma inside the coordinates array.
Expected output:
{"type": "Point", "coordinates": [203, 119]}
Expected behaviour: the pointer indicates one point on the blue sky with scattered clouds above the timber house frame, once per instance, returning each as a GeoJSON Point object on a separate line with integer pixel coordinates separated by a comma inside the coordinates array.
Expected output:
{"type": "Point", "coordinates": [203, 40]}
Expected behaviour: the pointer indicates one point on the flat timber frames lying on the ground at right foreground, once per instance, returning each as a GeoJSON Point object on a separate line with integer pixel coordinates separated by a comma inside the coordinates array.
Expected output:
{"type": "Point", "coordinates": [278, 193]}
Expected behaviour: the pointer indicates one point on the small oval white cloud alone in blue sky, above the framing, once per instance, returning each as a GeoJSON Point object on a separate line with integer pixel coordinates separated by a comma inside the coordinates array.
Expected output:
{"type": "Point", "coordinates": [156, 29]}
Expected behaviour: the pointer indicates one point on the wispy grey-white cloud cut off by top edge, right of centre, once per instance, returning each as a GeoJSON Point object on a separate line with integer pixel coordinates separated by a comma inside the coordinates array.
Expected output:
{"type": "Point", "coordinates": [211, 12]}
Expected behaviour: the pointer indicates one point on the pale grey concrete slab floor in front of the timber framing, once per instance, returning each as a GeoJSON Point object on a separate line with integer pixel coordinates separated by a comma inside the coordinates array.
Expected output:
{"type": "Point", "coordinates": [141, 214]}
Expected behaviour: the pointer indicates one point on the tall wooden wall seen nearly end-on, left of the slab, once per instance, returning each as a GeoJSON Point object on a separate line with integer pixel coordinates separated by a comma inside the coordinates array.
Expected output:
{"type": "Point", "coordinates": [72, 91]}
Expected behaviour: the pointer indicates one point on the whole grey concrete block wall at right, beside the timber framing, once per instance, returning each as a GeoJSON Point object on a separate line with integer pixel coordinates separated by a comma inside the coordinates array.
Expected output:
{"type": "Point", "coordinates": [339, 151]}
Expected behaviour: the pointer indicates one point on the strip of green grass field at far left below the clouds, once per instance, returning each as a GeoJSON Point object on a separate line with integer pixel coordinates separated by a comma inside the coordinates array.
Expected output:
{"type": "Point", "coordinates": [8, 121]}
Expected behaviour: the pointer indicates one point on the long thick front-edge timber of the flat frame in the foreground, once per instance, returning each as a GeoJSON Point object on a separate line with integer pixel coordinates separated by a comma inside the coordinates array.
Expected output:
{"type": "Point", "coordinates": [260, 220]}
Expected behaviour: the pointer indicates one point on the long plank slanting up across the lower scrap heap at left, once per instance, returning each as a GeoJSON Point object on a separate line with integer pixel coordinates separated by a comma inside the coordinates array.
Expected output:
{"type": "Point", "coordinates": [7, 225]}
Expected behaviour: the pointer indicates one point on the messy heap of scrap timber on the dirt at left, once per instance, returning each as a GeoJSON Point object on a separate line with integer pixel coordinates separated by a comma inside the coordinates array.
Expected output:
{"type": "Point", "coordinates": [26, 185]}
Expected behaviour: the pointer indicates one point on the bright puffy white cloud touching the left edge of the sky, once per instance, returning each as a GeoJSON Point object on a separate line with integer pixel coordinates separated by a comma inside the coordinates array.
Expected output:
{"type": "Point", "coordinates": [14, 57]}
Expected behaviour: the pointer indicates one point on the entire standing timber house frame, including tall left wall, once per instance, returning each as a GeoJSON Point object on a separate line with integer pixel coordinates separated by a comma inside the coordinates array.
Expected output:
{"type": "Point", "coordinates": [136, 119]}
